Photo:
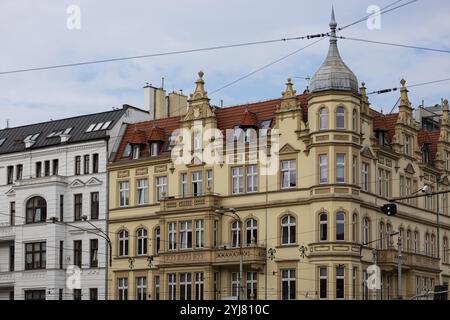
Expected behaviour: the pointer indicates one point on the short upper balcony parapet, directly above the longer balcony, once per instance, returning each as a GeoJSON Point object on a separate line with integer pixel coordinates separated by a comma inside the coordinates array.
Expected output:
{"type": "Point", "coordinates": [208, 200]}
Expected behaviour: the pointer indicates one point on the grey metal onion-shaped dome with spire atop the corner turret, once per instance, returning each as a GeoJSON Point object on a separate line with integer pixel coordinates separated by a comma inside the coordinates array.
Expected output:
{"type": "Point", "coordinates": [334, 74]}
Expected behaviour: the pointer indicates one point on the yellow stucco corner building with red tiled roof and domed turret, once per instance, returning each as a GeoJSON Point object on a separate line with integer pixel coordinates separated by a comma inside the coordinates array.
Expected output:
{"type": "Point", "coordinates": [309, 229]}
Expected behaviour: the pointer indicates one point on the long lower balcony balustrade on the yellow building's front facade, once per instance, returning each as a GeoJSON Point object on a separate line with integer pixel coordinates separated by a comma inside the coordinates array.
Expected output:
{"type": "Point", "coordinates": [219, 256]}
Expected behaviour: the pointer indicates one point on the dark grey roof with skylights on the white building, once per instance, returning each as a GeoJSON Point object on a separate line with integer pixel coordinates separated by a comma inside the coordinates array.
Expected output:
{"type": "Point", "coordinates": [15, 136]}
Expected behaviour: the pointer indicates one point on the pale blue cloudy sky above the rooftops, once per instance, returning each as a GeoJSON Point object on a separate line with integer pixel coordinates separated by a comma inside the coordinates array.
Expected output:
{"type": "Point", "coordinates": [35, 33]}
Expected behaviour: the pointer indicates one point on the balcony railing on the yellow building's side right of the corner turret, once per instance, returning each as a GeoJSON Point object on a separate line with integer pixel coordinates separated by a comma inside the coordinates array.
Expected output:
{"type": "Point", "coordinates": [389, 258]}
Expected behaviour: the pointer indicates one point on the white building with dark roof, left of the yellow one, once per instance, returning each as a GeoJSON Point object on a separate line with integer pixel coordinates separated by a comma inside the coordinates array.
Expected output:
{"type": "Point", "coordinates": [53, 206]}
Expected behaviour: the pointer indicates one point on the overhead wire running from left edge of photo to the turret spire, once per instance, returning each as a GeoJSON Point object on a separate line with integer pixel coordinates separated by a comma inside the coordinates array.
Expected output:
{"type": "Point", "coordinates": [152, 55]}
